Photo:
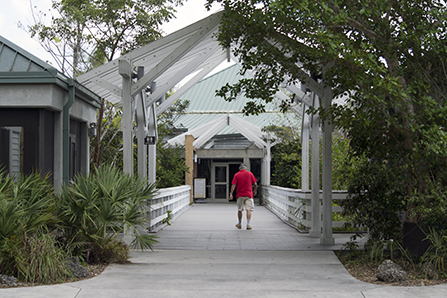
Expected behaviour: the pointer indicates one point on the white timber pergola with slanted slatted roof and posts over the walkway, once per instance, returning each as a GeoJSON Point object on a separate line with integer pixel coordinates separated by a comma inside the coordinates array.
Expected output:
{"type": "Point", "coordinates": [139, 79]}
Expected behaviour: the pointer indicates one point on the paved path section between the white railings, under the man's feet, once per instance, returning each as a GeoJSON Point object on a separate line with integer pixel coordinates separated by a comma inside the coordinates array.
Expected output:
{"type": "Point", "coordinates": [212, 227]}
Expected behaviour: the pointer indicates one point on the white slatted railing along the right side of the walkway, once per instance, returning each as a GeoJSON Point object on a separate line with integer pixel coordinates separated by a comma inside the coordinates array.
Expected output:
{"type": "Point", "coordinates": [294, 205]}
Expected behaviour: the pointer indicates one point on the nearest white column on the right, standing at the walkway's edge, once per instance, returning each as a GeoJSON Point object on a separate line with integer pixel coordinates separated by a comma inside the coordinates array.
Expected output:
{"type": "Point", "coordinates": [327, 238]}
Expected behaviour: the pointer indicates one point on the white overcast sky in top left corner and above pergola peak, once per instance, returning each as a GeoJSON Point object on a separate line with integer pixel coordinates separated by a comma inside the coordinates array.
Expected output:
{"type": "Point", "coordinates": [14, 12]}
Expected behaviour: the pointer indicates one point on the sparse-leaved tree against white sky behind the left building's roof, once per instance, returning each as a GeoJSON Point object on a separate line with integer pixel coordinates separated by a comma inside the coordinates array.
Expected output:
{"type": "Point", "coordinates": [84, 34]}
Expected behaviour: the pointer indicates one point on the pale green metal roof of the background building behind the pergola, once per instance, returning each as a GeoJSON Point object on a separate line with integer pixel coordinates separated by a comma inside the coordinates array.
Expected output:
{"type": "Point", "coordinates": [205, 106]}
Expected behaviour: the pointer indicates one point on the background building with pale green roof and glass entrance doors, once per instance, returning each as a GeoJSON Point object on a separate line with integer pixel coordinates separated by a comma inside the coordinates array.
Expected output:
{"type": "Point", "coordinates": [224, 137]}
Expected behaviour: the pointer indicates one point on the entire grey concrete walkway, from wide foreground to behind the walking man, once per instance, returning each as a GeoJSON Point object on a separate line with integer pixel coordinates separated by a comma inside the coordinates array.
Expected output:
{"type": "Point", "coordinates": [203, 255]}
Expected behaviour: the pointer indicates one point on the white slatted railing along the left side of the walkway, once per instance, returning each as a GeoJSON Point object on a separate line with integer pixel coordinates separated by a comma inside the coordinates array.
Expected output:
{"type": "Point", "coordinates": [173, 199]}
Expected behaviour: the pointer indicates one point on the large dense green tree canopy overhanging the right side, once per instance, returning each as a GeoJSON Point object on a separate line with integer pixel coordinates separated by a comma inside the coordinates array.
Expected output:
{"type": "Point", "coordinates": [388, 56]}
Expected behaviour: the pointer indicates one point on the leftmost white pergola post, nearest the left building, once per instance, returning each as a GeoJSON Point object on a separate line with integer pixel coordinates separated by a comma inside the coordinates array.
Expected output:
{"type": "Point", "coordinates": [125, 70]}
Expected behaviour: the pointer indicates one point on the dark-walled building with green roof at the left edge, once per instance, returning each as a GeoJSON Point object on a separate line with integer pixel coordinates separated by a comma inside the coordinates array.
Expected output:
{"type": "Point", "coordinates": [45, 117]}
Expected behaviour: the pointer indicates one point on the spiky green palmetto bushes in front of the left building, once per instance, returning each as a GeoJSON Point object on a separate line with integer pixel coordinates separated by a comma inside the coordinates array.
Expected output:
{"type": "Point", "coordinates": [39, 231]}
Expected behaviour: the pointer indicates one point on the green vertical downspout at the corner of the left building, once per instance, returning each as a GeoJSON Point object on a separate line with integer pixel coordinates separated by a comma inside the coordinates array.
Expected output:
{"type": "Point", "coordinates": [66, 132]}
